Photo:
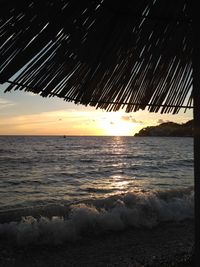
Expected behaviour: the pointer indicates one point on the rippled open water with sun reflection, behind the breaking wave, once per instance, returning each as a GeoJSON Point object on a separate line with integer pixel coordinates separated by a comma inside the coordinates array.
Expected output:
{"type": "Point", "coordinates": [49, 169]}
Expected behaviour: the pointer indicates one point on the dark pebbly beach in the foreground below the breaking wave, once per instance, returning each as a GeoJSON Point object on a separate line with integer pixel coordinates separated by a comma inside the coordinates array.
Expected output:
{"type": "Point", "coordinates": [166, 245]}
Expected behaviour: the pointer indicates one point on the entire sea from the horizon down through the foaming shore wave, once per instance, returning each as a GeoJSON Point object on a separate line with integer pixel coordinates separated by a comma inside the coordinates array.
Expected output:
{"type": "Point", "coordinates": [53, 189]}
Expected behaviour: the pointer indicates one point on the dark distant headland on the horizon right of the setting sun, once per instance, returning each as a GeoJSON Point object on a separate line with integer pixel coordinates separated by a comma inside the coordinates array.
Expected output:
{"type": "Point", "coordinates": [170, 129]}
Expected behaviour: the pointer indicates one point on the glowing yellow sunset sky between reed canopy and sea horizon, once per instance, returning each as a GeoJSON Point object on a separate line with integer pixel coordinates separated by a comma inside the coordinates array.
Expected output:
{"type": "Point", "coordinates": [23, 113]}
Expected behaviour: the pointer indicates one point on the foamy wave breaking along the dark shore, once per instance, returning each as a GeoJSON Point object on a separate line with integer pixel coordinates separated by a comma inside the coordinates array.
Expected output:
{"type": "Point", "coordinates": [136, 209]}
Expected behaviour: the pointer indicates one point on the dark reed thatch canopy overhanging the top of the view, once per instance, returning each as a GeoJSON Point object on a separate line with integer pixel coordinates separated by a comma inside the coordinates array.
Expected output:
{"type": "Point", "coordinates": [105, 53]}
